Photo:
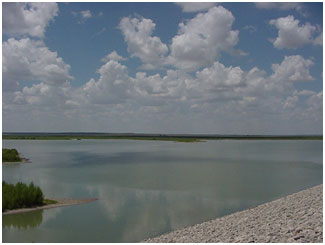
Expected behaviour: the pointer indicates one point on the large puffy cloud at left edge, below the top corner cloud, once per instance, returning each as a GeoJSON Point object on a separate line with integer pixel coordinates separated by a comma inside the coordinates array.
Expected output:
{"type": "Point", "coordinates": [27, 59]}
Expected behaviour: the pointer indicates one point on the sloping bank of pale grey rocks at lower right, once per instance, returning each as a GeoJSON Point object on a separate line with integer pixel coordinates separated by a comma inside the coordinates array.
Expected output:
{"type": "Point", "coordinates": [294, 218]}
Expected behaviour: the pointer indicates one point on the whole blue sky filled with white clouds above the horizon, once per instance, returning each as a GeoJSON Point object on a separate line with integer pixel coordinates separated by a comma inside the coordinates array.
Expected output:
{"type": "Point", "coordinates": [192, 68]}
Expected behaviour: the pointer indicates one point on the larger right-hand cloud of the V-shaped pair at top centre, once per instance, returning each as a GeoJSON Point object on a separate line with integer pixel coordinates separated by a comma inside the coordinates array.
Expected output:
{"type": "Point", "coordinates": [201, 39]}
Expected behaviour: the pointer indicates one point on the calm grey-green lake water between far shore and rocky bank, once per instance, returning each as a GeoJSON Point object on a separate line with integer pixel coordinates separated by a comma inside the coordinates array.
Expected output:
{"type": "Point", "coordinates": [146, 188]}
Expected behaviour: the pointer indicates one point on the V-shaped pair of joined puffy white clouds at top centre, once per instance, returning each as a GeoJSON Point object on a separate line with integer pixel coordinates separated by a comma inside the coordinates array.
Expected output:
{"type": "Point", "coordinates": [198, 43]}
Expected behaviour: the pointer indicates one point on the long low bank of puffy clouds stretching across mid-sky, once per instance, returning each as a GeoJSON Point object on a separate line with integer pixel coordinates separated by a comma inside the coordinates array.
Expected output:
{"type": "Point", "coordinates": [177, 88]}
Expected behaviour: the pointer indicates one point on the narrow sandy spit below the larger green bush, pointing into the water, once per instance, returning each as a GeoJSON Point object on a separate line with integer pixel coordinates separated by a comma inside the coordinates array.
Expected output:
{"type": "Point", "coordinates": [61, 202]}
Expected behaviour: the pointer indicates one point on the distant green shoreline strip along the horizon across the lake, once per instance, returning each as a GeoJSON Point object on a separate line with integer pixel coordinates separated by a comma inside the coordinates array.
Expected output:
{"type": "Point", "coordinates": [159, 137]}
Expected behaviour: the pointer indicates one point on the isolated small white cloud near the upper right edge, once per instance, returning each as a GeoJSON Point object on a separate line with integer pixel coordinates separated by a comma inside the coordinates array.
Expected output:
{"type": "Point", "coordinates": [291, 35]}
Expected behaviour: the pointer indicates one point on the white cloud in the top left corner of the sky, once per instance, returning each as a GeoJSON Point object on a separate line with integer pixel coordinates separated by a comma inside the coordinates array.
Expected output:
{"type": "Point", "coordinates": [27, 18]}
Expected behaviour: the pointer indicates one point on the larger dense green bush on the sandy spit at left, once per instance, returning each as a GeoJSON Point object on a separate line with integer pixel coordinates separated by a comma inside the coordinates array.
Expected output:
{"type": "Point", "coordinates": [20, 196]}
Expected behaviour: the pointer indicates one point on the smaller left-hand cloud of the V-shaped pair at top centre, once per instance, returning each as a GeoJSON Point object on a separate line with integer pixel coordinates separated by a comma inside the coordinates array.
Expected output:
{"type": "Point", "coordinates": [138, 36]}
